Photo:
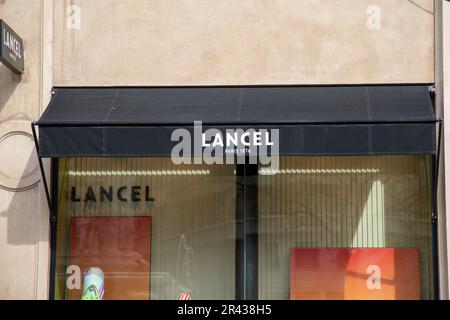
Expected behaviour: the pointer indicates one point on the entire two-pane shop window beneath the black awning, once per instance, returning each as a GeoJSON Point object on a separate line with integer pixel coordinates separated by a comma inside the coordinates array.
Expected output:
{"type": "Point", "coordinates": [324, 227]}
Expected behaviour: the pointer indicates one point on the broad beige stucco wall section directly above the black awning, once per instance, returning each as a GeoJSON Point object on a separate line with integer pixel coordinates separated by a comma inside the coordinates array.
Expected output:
{"type": "Point", "coordinates": [212, 42]}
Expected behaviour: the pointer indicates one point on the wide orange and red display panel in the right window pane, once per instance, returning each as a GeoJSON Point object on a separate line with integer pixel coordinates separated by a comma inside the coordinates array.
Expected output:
{"type": "Point", "coordinates": [355, 274]}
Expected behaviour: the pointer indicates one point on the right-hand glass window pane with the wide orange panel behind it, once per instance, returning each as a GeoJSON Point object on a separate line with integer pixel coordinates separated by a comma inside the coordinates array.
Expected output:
{"type": "Point", "coordinates": [346, 202]}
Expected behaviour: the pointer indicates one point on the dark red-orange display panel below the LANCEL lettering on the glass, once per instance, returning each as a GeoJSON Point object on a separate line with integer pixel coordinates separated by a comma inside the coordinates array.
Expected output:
{"type": "Point", "coordinates": [120, 246]}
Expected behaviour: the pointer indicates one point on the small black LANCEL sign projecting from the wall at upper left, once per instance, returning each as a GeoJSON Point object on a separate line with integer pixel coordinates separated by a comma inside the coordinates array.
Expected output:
{"type": "Point", "coordinates": [11, 48]}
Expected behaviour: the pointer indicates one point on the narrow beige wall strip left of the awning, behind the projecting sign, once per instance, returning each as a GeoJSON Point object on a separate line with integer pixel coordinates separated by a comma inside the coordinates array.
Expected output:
{"type": "Point", "coordinates": [24, 232]}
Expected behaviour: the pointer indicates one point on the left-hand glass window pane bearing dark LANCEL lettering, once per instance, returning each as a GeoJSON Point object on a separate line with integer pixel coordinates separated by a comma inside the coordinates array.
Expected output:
{"type": "Point", "coordinates": [154, 229]}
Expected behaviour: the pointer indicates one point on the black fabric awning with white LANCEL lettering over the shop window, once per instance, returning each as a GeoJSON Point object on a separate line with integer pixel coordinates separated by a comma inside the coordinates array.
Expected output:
{"type": "Point", "coordinates": [341, 120]}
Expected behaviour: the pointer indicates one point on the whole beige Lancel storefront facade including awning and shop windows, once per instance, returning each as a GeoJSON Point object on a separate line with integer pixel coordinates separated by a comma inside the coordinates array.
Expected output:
{"type": "Point", "coordinates": [371, 207]}
